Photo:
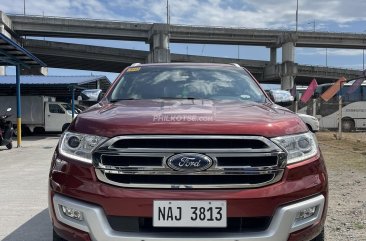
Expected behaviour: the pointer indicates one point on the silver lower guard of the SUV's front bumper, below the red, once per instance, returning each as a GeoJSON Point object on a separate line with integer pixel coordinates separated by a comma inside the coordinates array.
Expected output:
{"type": "Point", "coordinates": [96, 224]}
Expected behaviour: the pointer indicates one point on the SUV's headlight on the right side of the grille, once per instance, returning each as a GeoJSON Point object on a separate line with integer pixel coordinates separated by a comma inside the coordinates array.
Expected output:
{"type": "Point", "coordinates": [298, 147]}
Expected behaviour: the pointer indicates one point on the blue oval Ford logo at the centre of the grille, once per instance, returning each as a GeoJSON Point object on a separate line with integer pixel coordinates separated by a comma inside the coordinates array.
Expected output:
{"type": "Point", "coordinates": [189, 162]}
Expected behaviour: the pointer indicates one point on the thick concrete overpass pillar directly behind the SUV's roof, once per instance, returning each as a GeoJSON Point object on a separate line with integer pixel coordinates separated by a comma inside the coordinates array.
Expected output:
{"type": "Point", "coordinates": [159, 44]}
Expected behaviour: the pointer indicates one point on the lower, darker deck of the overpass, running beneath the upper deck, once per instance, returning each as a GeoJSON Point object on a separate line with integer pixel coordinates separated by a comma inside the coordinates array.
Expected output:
{"type": "Point", "coordinates": [96, 58]}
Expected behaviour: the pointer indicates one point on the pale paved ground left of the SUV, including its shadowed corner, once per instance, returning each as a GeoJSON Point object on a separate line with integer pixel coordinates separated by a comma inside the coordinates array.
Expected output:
{"type": "Point", "coordinates": [23, 190]}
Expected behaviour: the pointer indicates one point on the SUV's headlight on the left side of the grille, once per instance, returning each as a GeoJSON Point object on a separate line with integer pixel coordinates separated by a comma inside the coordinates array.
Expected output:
{"type": "Point", "coordinates": [79, 146]}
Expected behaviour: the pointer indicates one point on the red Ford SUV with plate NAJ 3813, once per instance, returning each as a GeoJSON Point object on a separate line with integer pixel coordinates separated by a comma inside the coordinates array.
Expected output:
{"type": "Point", "coordinates": [187, 152]}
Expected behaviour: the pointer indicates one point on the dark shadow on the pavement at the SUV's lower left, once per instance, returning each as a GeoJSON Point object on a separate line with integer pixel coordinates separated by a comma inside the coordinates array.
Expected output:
{"type": "Point", "coordinates": [38, 228]}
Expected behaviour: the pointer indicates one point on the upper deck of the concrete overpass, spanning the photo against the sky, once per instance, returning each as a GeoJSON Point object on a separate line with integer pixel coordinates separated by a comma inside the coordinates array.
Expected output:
{"type": "Point", "coordinates": [106, 29]}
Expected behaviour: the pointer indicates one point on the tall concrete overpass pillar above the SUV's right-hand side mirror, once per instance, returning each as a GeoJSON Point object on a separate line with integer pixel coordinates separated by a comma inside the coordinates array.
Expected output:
{"type": "Point", "coordinates": [288, 68]}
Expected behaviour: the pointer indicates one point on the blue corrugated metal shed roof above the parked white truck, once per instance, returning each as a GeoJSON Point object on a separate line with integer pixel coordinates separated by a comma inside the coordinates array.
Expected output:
{"type": "Point", "coordinates": [49, 80]}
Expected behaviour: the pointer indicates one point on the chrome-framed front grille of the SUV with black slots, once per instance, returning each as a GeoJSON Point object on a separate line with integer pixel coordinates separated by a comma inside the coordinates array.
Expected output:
{"type": "Point", "coordinates": [142, 161]}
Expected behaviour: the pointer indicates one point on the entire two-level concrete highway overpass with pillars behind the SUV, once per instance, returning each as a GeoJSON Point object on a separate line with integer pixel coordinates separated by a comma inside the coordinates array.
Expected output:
{"type": "Point", "coordinates": [63, 55]}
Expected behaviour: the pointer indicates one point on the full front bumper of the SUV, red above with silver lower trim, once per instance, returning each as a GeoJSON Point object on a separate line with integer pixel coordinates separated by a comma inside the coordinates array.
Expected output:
{"type": "Point", "coordinates": [75, 184]}
